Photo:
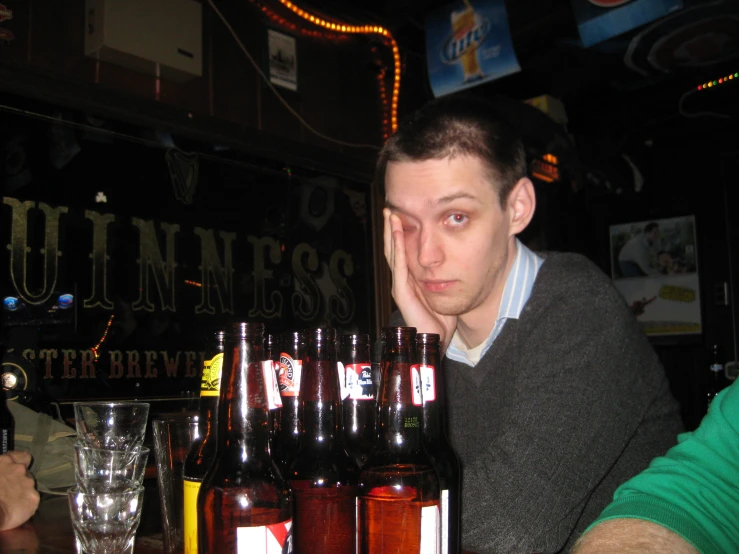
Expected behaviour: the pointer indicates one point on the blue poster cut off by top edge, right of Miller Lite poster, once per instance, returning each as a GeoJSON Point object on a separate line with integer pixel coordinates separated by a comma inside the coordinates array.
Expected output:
{"type": "Point", "coordinates": [599, 20]}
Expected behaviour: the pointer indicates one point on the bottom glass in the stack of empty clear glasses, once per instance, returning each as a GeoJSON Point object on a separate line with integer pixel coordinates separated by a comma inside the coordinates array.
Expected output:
{"type": "Point", "coordinates": [105, 523]}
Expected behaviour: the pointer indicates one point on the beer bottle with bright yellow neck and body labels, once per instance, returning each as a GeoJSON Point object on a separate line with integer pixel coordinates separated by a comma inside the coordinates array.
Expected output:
{"type": "Point", "coordinates": [203, 449]}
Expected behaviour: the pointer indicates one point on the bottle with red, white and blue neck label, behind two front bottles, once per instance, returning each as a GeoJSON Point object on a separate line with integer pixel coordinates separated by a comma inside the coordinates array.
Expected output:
{"type": "Point", "coordinates": [359, 406]}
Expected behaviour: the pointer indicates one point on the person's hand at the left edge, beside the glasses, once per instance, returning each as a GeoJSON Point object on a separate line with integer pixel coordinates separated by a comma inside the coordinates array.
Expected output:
{"type": "Point", "coordinates": [18, 495]}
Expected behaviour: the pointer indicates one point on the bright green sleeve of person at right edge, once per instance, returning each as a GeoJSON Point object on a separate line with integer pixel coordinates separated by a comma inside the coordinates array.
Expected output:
{"type": "Point", "coordinates": [694, 489]}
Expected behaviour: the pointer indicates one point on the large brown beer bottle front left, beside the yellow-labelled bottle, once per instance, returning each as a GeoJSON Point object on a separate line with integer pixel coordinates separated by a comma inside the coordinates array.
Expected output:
{"type": "Point", "coordinates": [244, 505]}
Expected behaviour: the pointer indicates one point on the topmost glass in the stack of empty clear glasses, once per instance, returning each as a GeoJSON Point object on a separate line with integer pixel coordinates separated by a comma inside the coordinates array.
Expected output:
{"type": "Point", "coordinates": [111, 425]}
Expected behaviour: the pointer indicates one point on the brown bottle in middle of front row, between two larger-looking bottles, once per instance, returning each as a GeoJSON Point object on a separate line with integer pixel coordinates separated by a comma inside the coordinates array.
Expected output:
{"type": "Point", "coordinates": [323, 476]}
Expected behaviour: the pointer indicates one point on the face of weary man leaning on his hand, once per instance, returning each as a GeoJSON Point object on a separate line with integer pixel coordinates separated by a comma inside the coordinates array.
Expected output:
{"type": "Point", "coordinates": [456, 233]}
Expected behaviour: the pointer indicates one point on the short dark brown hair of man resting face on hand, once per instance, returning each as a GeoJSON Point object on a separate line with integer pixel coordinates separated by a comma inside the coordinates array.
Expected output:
{"type": "Point", "coordinates": [459, 125]}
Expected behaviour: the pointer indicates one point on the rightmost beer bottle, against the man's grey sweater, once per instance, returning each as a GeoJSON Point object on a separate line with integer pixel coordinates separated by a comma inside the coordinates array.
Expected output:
{"type": "Point", "coordinates": [435, 439]}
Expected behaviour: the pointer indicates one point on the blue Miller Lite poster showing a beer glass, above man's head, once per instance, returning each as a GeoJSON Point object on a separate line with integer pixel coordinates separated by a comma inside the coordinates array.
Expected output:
{"type": "Point", "coordinates": [468, 43]}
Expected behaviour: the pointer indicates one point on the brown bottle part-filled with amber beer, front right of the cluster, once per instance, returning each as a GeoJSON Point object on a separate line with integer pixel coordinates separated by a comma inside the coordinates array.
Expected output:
{"type": "Point", "coordinates": [398, 486]}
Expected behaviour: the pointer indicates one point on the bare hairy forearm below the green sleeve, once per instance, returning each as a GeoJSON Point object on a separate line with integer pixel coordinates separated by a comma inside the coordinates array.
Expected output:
{"type": "Point", "coordinates": [635, 536]}
